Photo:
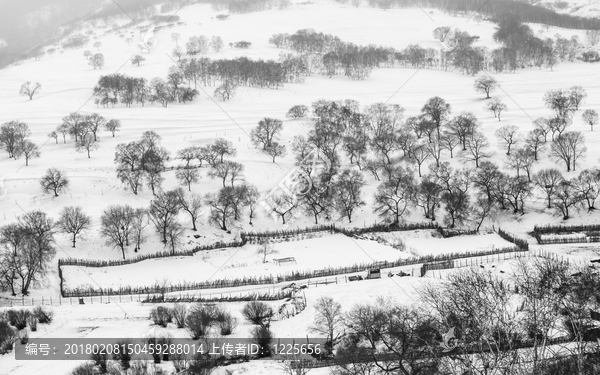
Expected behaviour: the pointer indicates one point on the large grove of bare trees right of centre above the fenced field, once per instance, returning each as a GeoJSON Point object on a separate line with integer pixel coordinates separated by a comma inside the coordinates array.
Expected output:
{"type": "Point", "coordinates": [371, 140]}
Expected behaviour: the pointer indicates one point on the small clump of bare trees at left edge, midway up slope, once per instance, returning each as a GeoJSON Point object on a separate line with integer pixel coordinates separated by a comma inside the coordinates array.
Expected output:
{"type": "Point", "coordinates": [13, 138]}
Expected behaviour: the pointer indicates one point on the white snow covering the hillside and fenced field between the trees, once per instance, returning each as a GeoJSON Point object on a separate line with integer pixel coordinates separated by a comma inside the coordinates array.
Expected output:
{"type": "Point", "coordinates": [67, 83]}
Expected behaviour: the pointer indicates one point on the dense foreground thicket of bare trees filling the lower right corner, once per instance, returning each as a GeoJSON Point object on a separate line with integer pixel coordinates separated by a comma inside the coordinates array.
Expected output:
{"type": "Point", "coordinates": [492, 334]}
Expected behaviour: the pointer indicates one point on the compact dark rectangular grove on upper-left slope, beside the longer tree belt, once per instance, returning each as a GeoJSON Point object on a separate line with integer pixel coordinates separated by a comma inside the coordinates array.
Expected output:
{"type": "Point", "coordinates": [117, 87]}
